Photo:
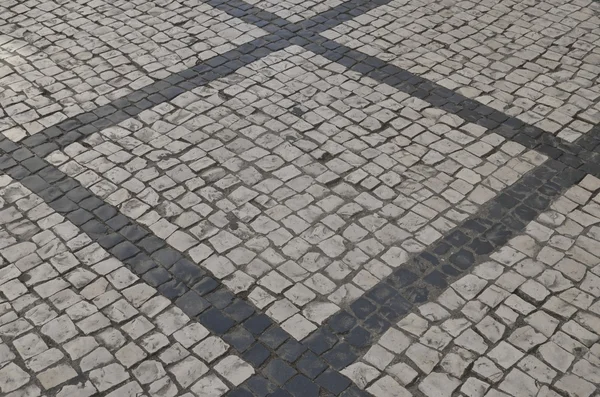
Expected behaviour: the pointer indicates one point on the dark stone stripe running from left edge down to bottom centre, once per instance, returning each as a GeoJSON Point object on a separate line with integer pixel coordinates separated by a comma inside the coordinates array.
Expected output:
{"type": "Point", "coordinates": [257, 339]}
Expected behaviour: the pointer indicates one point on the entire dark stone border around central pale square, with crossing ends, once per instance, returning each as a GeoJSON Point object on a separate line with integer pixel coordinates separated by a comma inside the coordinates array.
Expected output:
{"type": "Point", "coordinates": [346, 335]}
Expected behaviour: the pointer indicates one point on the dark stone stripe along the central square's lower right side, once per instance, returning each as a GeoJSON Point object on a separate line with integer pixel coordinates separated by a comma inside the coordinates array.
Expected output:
{"type": "Point", "coordinates": [427, 275]}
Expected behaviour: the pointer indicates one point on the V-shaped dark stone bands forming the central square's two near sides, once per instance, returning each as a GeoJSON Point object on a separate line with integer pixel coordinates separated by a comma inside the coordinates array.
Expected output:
{"type": "Point", "coordinates": [312, 365]}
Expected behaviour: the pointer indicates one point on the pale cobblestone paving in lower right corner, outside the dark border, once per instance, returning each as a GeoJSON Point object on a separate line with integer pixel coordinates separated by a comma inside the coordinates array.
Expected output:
{"type": "Point", "coordinates": [523, 323]}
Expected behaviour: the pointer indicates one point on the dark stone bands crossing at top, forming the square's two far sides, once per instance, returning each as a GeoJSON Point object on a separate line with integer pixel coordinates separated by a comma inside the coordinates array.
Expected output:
{"type": "Point", "coordinates": [584, 155]}
